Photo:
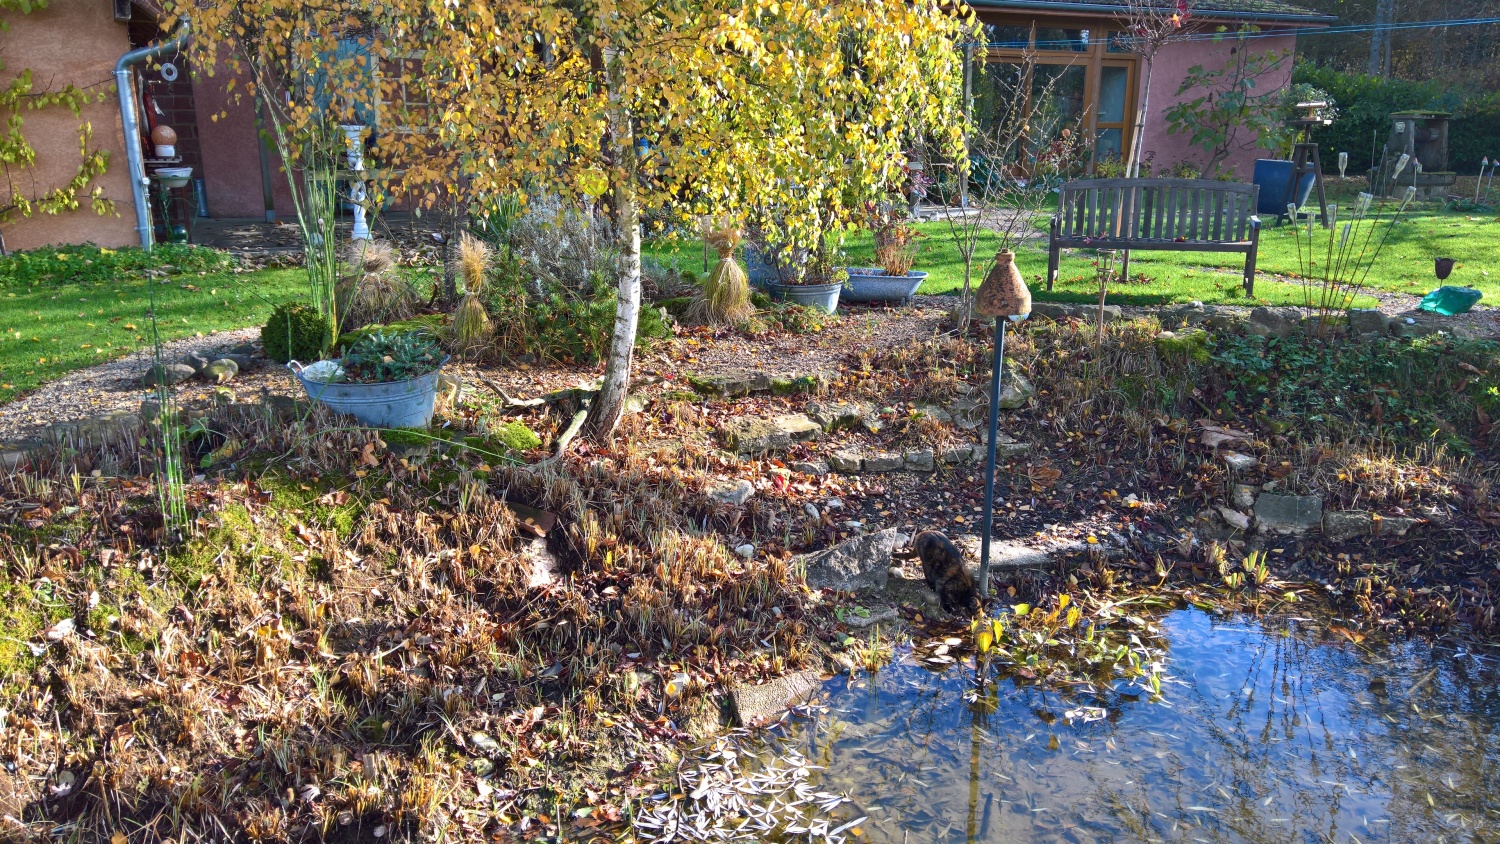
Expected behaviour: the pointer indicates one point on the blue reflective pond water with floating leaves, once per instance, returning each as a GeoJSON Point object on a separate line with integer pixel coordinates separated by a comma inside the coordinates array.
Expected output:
{"type": "Point", "coordinates": [1271, 731]}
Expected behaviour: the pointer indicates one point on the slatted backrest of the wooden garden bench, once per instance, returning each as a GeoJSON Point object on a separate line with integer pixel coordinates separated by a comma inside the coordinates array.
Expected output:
{"type": "Point", "coordinates": [1157, 209]}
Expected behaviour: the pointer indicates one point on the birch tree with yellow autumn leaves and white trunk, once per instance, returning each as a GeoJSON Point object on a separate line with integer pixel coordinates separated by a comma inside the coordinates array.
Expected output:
{"type": "Point", "coordinates": [679, 107]}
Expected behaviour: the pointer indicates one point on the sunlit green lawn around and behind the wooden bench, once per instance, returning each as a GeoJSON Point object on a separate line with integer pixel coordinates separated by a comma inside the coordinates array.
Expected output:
{"type": "Point", "coordinates": [1406, 265]}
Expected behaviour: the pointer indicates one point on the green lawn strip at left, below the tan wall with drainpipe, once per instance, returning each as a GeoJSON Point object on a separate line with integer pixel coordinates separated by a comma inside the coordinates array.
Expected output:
{"type": "Point", "coordinates": [50, 329]}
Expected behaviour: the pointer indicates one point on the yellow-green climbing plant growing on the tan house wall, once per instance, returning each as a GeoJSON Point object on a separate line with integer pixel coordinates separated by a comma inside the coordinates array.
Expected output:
{"type": "Point", "coordinates": [23, 194]}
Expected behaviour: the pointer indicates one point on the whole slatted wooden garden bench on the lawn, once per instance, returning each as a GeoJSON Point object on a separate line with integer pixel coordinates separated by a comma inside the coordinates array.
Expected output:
{"type": "Point", "coordinates": [1177, 215]}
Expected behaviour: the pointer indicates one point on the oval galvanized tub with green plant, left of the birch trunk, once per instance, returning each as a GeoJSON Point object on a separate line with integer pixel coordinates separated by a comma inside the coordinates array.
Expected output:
{"type": "Point", "coordinates": [383, 380]}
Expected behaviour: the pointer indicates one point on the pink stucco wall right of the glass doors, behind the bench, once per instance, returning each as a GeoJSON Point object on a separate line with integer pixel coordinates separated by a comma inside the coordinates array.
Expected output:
{"type": "Point", "coordinates": [1171, 68]}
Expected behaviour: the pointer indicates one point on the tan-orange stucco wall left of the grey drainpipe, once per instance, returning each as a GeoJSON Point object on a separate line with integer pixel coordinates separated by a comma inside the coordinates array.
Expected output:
{"type": "Point", "coordinates": [71, 43]}
